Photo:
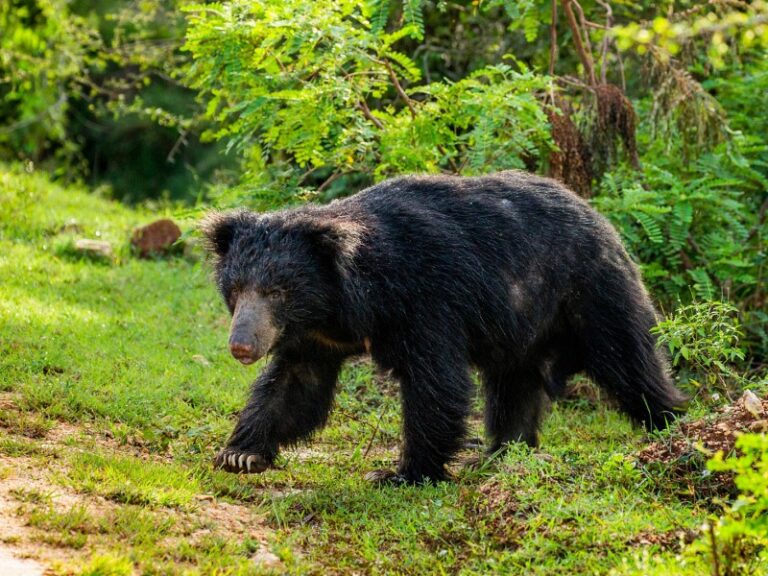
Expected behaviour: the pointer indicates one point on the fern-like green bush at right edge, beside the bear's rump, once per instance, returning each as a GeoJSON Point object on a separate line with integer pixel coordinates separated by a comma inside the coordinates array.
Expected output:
{"type": "Point", "coordinates": [697, 232]}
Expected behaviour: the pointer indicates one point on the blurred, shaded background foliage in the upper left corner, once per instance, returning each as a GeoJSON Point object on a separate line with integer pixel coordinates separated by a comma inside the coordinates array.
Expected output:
{"type": "Point", "coordinates": [89, 89]}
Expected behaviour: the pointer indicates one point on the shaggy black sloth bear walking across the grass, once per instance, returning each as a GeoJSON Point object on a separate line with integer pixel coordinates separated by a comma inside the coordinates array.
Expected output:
{"type": "Point", "coordinates": [510, 273]}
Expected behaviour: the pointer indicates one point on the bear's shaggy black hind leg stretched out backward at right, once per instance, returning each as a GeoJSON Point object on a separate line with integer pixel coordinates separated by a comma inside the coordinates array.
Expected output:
{"type": "Point", "coordinates": [622, 355]}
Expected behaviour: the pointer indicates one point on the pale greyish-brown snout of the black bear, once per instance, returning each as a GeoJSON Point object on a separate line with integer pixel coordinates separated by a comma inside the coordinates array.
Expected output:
{"type": "Point", "coordinates": [252, 333]}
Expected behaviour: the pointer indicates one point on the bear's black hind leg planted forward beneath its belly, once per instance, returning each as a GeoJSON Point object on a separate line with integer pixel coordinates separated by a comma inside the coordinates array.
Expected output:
{"type": "Point", "coordinates": [514, 401]}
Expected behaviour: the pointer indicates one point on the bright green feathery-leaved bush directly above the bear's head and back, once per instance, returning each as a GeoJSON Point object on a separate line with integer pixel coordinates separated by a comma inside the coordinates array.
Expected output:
{"type": "Point", "coordinates": [314, 92]}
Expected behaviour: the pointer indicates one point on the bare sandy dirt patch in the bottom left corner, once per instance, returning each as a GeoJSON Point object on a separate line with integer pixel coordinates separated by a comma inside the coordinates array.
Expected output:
{"type": "Point", "coordinates": [28, 487]}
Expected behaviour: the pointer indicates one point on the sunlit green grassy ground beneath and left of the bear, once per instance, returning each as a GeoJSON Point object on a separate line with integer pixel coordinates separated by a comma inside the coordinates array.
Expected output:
{"type": "Point", "coordinates": [130, 355]}
